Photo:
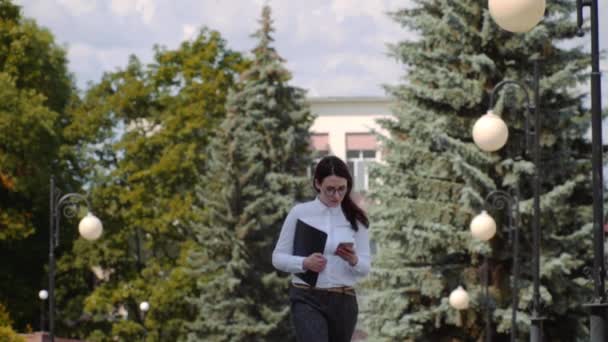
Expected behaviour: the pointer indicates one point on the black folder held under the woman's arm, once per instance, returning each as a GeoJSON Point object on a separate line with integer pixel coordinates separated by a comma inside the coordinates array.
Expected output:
{"type": "Point", "coordinates": [306, 241]}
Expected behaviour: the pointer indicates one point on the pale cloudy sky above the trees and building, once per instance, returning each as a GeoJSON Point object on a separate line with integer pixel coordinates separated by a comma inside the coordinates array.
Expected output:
{"type": "Point", "coordinates": [332, 47]}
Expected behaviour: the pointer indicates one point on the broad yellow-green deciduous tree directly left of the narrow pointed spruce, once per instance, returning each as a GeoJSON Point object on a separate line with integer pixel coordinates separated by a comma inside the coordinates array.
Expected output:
{"type": "Point", "coordinates": [151, 125]}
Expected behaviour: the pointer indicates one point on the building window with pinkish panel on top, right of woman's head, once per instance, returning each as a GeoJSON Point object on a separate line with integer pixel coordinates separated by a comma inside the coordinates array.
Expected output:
{"type": "Point", "coordinates": [360, 153]}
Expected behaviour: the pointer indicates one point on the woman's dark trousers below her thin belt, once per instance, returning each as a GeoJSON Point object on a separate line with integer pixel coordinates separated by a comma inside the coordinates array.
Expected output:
{"type": "Point", "coordinates": [322, 316]}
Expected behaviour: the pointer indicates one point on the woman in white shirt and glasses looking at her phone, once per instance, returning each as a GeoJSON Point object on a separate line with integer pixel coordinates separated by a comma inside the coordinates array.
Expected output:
{"type": "Point", "coordinates": [327, 310]}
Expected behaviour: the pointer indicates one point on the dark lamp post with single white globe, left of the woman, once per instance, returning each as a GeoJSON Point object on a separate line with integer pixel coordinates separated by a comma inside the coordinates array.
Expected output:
{"type": "Point", "coordinates": [90, 228]}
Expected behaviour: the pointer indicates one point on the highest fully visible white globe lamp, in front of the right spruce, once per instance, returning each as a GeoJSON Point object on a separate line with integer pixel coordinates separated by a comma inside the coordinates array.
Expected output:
{"type": "Point", "coordinates": [490, 132]}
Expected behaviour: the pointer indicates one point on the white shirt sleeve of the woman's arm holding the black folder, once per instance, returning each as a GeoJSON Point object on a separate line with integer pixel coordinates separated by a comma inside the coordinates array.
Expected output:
{"type": "Point", "coordinates": [282, 256]}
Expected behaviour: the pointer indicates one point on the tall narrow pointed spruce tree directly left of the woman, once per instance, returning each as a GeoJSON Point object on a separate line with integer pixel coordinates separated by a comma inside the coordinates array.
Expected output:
{"type": "Point", "coordinates": [256, 173]}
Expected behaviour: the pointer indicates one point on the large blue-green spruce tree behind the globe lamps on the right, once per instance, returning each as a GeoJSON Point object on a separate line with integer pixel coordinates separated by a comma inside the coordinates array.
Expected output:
{"type": "Point", "coordinates": [434, 179]}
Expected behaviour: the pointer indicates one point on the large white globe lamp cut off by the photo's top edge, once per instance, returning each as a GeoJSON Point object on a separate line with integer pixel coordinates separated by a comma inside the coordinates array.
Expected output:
{"type": "Point", "coordinates": [517, 15]}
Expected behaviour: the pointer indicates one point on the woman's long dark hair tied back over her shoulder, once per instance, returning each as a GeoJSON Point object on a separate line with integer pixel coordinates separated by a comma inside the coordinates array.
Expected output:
{"type": "Point", "coordinates": [334, 166]}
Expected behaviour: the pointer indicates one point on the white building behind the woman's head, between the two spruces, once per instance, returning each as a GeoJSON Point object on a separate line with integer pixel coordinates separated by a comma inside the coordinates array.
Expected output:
{"type": "Point", "coordinates": [344, 127]}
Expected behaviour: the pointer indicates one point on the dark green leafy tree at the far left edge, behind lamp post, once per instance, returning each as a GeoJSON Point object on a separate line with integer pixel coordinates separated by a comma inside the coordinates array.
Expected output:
{"type": "Point", "coordinates": [36, 94]}
